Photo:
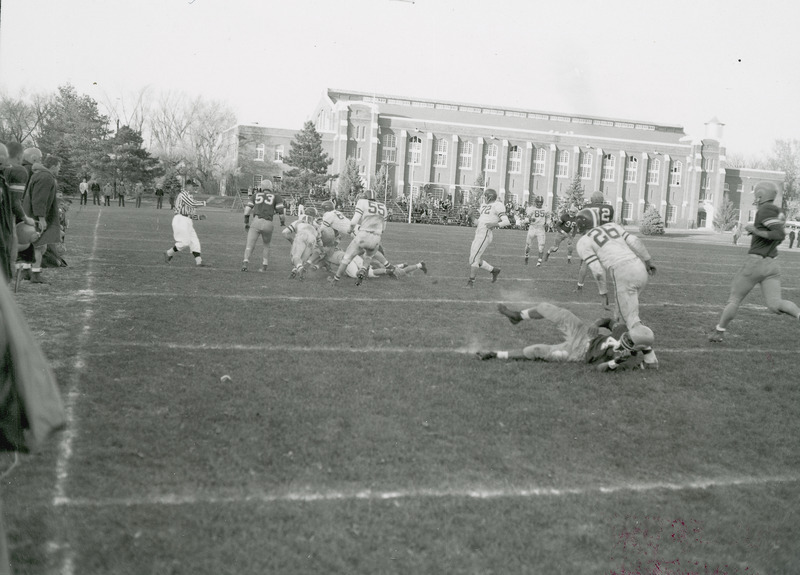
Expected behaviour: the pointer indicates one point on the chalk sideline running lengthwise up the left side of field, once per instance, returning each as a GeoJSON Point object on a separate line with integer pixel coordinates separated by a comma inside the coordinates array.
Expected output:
{"type": "Point", "coordinates": [88, 298]}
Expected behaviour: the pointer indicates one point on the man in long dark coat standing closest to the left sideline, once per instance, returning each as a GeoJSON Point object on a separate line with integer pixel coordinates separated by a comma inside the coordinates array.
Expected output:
{"type": "Point", "coordinates": [41, 204]}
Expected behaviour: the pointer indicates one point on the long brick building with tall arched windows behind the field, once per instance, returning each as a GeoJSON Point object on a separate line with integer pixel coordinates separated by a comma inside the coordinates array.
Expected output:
{"type": "Point", "coordinates": [441, 149]}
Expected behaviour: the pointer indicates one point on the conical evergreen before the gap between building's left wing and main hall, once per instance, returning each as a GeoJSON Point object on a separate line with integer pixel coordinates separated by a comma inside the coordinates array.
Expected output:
{"type": "Point", "coordinates": [308, 161]}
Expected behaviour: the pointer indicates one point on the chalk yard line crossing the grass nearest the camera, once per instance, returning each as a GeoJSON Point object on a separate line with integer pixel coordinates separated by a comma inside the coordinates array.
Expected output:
{"type": "Point", "coordinates": [477, 492]}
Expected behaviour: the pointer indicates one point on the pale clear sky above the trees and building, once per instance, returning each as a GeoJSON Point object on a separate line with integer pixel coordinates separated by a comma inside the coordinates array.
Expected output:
{"type": "Point", "coordinates": [679, 62]}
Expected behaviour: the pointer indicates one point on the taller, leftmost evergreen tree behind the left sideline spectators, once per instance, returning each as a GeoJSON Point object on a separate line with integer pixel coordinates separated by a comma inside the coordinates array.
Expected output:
{"type": "Point", "coordinates": [73, 129]}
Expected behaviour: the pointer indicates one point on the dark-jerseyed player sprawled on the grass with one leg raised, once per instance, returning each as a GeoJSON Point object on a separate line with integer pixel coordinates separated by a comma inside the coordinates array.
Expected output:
{"type": "Point", "coordinates": [605, 344]}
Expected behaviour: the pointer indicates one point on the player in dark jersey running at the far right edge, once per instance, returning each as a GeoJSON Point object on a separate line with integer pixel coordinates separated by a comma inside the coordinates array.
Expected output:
{"type": "Point", "coordinates": [761, 266]}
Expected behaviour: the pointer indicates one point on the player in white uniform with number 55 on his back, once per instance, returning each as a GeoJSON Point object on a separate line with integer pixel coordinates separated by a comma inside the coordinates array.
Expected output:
{"type": "Point", "coordinates": [370, 217]}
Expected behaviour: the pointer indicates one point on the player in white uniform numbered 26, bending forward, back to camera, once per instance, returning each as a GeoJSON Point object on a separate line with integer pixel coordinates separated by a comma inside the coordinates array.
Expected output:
{"type": "Point", "coordinates": [608, 247]}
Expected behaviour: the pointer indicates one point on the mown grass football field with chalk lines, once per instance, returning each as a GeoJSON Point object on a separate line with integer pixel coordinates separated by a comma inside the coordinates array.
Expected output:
{"type": "Point", "coordinates": [360, 435]}
